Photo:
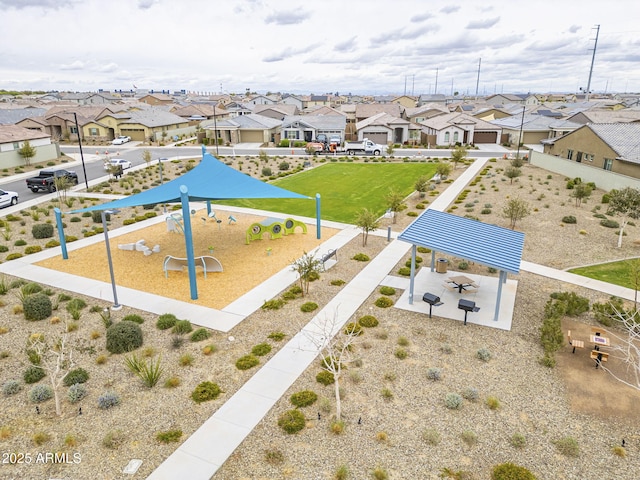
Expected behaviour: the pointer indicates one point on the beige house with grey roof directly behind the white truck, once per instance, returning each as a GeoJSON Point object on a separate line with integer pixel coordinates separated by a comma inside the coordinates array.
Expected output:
{"type": "Point", "coordinates": [384, 129]}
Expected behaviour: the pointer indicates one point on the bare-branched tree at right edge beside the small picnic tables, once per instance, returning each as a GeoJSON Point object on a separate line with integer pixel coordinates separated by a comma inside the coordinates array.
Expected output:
{"type": "Point", "coordinates": [626, 346]}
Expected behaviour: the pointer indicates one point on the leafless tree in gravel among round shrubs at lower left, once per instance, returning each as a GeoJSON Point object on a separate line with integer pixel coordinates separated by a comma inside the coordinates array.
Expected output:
{"type": "Point", "coordinates": [56, 360]}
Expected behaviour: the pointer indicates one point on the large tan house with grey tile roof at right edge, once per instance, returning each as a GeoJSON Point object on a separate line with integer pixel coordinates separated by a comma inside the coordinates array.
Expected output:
{"type": "Point", "coordinates": [609, 146]}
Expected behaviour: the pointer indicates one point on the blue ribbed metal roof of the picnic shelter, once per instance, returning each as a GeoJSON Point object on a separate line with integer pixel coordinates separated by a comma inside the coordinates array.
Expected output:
{"type": "Point", "coordinates": [473, 240]}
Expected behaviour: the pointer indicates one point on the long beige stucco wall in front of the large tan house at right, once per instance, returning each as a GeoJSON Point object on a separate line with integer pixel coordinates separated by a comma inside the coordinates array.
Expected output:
{"type": "Point", "coordinates": [602, 178]}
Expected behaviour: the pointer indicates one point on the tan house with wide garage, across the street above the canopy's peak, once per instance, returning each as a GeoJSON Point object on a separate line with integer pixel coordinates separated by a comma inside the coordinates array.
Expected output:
{"type": "Point", "coordinates": [249, 128]}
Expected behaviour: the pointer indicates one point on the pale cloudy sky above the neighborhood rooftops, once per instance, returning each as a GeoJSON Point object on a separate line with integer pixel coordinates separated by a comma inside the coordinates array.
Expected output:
{"type": "Point", "coordinates": [347, 46]}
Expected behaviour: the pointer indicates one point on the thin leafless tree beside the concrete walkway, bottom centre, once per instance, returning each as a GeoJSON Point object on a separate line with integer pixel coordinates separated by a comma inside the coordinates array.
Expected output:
{"type": "Point", "coordinates": [336, 345]}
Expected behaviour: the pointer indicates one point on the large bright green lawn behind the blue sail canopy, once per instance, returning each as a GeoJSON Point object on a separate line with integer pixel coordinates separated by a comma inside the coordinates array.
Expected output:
{"type": "Point", "coordinates": [344, 189]}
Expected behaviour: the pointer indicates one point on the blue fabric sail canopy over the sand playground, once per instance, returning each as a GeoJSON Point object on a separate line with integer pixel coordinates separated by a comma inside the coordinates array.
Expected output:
{"type": "Point", "coordinates": [209, 180]}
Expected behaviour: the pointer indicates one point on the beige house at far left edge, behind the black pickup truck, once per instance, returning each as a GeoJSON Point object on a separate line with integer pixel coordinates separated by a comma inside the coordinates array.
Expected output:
{"type": "Point", "coordinates": [12, 139]}
